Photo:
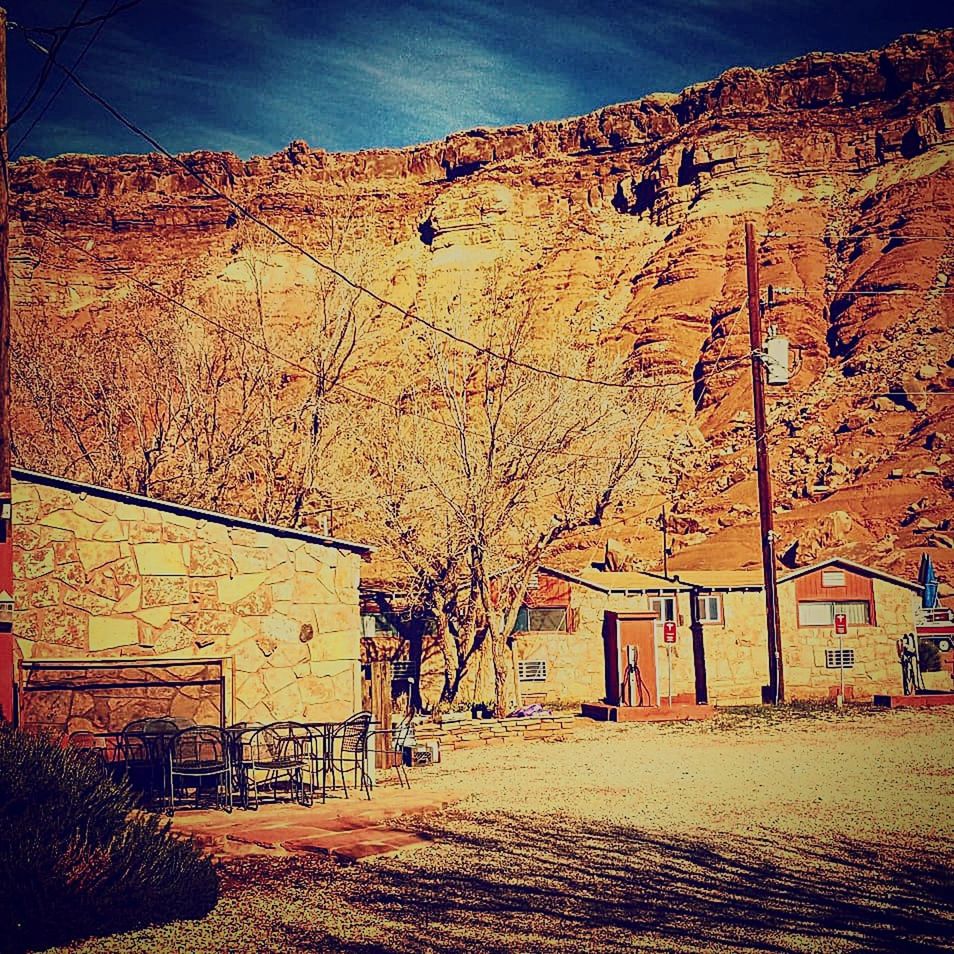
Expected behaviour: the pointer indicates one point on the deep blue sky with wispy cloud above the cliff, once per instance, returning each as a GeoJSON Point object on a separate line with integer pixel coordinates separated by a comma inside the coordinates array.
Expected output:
{"type": "Point", "coordinates": [251, 75]}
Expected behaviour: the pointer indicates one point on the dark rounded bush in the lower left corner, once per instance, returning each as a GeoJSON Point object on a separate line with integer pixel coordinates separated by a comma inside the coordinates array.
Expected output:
{"type": "Point", "coordinates": [78, 858]}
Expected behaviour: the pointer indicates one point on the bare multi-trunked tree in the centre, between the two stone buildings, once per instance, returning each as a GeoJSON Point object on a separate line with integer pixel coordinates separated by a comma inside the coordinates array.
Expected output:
{"type": "Point", "coordinates": [492, 464]}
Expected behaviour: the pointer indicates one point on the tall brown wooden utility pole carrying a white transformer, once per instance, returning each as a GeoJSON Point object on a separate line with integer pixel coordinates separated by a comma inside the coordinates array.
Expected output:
{"type": "Point", "coordinates": [776, 686]}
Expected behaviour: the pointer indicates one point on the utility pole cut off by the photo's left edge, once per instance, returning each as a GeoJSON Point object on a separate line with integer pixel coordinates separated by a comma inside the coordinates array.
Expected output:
{"type": "Point", "coordinates": [6, 496]}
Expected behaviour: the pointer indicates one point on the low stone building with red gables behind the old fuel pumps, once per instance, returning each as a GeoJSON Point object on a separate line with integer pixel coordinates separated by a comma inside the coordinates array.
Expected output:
{"type": "Point", "coordinates": [560, 637]}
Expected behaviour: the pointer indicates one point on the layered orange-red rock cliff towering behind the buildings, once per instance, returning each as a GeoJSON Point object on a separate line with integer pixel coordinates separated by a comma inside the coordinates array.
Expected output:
{"type": "Point", "coordinates": [627, 223]}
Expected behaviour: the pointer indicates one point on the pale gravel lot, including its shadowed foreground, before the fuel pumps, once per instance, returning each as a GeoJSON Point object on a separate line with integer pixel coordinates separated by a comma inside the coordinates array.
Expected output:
{"type": "Point", "coordinates": [802, 830]}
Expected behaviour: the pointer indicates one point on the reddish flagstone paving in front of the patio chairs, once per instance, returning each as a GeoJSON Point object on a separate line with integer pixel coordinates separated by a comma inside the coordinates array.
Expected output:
{"type": "Point", "coordinates": [346, 829]}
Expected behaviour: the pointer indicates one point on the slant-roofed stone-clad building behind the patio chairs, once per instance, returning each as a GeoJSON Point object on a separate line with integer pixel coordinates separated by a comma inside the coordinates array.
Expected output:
{"type": "Point", "coordinates": [111, 578]}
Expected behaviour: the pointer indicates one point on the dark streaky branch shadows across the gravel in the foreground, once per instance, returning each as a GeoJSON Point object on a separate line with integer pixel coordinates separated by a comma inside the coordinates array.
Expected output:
{"type": "Point", "coordinates": [518, 883]}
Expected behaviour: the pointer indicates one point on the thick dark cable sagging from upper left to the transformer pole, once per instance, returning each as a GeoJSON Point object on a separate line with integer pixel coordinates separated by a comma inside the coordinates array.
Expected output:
{"type": "Point", "coordinates": [387, 303]}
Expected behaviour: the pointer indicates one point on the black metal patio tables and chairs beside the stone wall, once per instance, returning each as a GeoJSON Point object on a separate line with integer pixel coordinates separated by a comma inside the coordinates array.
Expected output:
{"type": "Point", "coordinates": [247, 763]}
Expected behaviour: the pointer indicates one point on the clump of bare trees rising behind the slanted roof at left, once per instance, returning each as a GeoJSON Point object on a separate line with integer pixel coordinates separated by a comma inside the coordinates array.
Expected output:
{"type": "Point", "coordinates": [239, 411]}
